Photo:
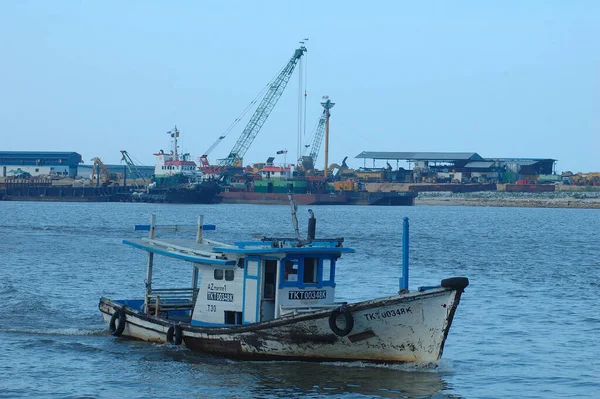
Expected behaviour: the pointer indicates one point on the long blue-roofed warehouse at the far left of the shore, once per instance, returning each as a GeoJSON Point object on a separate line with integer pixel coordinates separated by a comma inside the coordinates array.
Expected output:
{"type": "Point", "coordinates": [35, 163]}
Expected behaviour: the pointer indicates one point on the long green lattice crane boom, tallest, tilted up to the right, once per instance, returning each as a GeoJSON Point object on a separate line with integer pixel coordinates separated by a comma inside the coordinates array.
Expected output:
{"type": "Point", "coordinates": [262, 112]}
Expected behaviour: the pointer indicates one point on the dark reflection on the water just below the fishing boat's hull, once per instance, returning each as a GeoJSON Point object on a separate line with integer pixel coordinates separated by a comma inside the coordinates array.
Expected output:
{"type": "Point", "coordinates": [306, 379]}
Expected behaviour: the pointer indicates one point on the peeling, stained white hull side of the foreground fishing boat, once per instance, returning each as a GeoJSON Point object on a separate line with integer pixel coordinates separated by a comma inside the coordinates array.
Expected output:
{"type": "Point", "coordinates": [404, 328]}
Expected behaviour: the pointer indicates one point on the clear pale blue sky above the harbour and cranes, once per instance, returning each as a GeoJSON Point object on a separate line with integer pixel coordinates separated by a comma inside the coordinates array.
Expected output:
{"type": "Point", "coordinates": [500, 78]}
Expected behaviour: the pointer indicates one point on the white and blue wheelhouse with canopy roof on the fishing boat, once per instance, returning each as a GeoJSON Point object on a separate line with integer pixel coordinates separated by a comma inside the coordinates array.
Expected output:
{"type": "Point", "coordinates": [243, 283]}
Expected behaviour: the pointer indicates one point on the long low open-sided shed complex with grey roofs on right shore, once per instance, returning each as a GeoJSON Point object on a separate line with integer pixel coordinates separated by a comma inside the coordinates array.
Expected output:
{"type": "Point", "coordinates": [459, 167]}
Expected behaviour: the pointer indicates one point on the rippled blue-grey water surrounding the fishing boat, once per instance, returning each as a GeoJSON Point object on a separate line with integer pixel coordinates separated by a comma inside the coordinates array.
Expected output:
{"type": "Point", "coordinates": [527, 326]}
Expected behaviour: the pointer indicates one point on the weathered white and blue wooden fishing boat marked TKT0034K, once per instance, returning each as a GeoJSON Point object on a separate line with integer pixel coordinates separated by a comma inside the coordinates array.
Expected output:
{"type": "Point", "coordinates": [274, 299]}
